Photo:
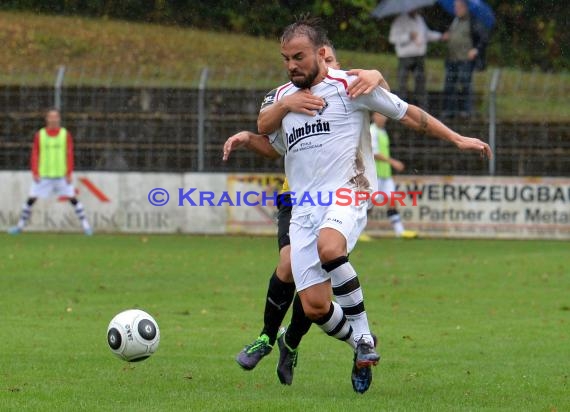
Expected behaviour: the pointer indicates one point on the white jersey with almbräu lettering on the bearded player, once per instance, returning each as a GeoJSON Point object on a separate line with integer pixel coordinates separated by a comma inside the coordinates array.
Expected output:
{"type": "Point", "coordinates": [332, 149]}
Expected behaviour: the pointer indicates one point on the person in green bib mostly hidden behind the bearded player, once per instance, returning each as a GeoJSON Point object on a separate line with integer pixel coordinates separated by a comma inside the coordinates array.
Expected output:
{"type": "Point", "coordinates": [384, 165]}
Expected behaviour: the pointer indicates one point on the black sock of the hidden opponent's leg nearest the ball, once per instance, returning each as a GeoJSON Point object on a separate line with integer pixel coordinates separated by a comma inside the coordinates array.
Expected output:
{"type": "Point", "coordinates": [279, 297]}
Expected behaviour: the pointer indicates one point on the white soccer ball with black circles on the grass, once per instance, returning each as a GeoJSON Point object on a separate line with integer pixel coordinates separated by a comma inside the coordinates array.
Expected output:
{"type": "Point", "coordinates": [133, 335]}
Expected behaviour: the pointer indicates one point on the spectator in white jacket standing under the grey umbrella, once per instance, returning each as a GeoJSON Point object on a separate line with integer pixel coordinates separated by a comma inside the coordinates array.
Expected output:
{"type": "Point", "coordinates": [410, 34]}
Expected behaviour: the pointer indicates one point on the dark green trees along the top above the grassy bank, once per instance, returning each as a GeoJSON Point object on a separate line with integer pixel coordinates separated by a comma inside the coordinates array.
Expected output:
{"type": "Point", "coordinates": [528, 34]}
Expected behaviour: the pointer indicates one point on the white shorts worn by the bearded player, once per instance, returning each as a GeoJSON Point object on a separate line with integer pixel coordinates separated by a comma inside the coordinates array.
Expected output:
{"type": "Point", "coordinates": [304, 234]}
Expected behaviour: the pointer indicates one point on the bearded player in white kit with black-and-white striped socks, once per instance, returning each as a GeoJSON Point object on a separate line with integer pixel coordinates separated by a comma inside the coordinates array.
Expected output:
{"type": "Point", "coordinates": [325, 151]}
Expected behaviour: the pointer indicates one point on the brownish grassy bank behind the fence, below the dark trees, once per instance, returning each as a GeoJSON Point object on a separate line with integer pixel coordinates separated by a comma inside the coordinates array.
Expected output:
{"type": "Point", "coordinates": [105, 52]}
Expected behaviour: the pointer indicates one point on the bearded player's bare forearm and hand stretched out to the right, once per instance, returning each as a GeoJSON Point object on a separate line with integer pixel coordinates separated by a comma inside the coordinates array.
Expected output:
{"type": "Point", "coordinates": [415, 118]}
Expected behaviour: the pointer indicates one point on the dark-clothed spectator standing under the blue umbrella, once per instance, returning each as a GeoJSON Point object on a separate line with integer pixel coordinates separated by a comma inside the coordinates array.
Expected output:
{"type": "Point", "coordinates": [467, 39]}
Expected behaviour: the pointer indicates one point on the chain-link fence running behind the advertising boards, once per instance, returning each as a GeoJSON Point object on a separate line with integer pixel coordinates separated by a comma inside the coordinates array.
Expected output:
{"type": "Point", "coordinates": [151, 122]}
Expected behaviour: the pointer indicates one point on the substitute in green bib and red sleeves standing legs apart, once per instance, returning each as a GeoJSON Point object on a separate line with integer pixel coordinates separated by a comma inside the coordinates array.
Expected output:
{"type": "Point", "coordinates": [52, 168]}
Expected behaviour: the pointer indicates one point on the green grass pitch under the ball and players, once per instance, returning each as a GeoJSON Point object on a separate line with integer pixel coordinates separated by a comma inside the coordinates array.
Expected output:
{"type": "Point", "coordinates": [463, 325]}
